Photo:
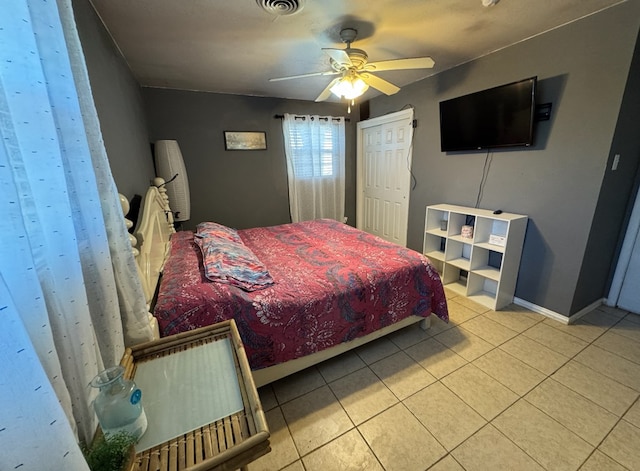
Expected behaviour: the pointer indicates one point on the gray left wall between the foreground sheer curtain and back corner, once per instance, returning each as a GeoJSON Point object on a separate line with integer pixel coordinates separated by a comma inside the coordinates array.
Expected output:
{"type": "Point", "coordinates": [118, 103]}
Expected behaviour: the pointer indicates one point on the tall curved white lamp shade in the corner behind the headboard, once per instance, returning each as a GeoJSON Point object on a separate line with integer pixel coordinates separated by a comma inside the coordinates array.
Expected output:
{"type": "Point", "coordinates": [169, 163]}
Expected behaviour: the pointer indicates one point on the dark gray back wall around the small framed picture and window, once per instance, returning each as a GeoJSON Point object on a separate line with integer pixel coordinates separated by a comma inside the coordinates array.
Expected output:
{"type": "Point", "coordinates": [237, 188]}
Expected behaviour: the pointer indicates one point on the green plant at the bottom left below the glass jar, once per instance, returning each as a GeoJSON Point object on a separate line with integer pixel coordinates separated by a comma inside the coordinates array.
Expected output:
{"type": "Point", "coordinates": [109, 453]}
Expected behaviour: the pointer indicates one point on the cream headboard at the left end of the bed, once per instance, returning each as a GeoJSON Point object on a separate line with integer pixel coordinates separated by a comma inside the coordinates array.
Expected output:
{"type": "Point", "coordinates": [150, 241]}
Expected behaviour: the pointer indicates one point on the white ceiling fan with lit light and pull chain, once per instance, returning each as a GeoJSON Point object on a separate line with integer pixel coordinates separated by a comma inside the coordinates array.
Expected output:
{"type": "Point", "coordinates": [356, 74]}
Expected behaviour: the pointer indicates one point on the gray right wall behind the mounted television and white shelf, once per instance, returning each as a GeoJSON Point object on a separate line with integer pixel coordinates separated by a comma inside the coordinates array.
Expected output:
{"type": "Point", "coordinates": [582, 69]}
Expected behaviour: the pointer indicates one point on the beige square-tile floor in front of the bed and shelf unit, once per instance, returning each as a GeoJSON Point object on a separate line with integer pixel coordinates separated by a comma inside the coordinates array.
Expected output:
{"type": "Point", "coordinates": [509, 390]}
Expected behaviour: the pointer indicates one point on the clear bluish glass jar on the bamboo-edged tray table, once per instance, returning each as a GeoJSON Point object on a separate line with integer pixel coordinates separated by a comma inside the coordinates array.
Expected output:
{"type": "Point", "coordinates": [118, 404]}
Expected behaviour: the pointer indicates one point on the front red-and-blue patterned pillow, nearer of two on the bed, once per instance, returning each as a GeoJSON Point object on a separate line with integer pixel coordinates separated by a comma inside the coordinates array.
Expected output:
{"type": "Point", "coordinates": [233, 263]}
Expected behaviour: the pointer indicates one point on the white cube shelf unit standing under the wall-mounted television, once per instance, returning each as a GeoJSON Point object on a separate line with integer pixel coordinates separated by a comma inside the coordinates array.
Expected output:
{"type": "Point", "coordinates": [485, 267]}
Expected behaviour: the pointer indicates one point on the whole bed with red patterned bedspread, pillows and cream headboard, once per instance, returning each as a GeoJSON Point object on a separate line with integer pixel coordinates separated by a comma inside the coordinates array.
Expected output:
{"type": "Point", "coordinates": [313, 289]}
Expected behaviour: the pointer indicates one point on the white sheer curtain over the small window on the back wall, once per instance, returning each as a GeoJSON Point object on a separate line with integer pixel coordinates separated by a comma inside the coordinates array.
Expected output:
{"type": "Point", "coordinates": [315, 150]}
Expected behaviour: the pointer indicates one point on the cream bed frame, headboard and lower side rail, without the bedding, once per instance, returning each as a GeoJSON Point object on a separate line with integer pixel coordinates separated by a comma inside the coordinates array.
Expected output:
{"type": "Point", "coordinates": [154, 229]}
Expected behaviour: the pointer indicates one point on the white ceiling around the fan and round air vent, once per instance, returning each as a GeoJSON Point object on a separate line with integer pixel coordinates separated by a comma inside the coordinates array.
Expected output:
{"type": "Point", "coordinates": [234, 46]}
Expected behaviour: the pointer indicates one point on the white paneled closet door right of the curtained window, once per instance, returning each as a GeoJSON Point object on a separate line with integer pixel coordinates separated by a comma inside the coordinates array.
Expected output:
{"type": "Point", "coordinates": [384, 176]}
